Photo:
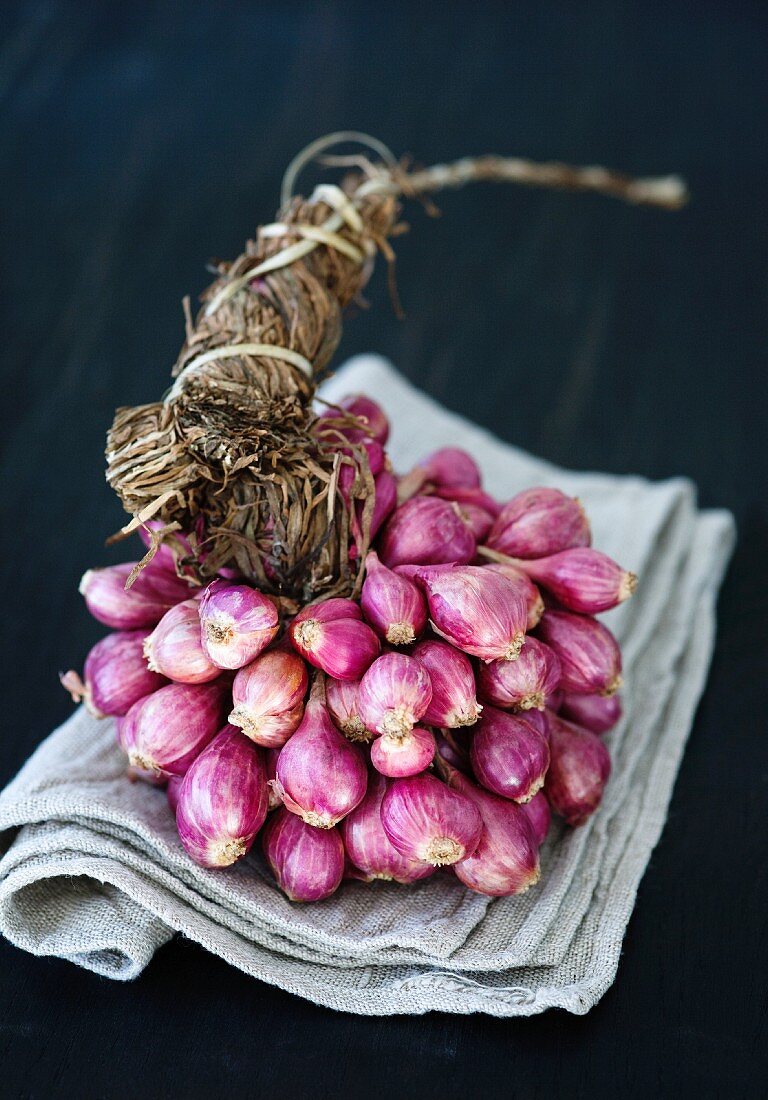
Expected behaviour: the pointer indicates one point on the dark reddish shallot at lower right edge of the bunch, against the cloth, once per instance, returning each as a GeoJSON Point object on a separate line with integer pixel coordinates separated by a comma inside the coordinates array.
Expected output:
{"type": "Point", "coordinates": [579, 771]}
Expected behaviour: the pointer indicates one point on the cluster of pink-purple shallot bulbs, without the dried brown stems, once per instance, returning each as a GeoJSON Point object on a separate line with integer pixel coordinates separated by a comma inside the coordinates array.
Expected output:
{"type": "Point", "coordinates": [435, 721]}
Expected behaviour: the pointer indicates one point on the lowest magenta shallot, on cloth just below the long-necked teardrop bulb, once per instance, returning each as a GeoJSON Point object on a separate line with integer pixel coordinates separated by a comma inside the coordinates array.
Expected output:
{"type": "Point", "coordinates": [308, 863]}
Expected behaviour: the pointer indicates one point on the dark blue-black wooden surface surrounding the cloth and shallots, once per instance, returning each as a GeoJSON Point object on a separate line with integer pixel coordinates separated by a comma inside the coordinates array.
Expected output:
{"type": "Point", "coordinates": [142, 139]}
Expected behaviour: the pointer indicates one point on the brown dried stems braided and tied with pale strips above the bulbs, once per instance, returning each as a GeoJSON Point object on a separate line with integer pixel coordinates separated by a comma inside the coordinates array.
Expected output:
{"type": "Point", "coordinates": [234, 455]}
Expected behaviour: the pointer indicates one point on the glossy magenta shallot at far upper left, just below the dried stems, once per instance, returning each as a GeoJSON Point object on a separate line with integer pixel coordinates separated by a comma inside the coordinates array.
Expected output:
{"type": "Point", "coordinates": [155, 591]}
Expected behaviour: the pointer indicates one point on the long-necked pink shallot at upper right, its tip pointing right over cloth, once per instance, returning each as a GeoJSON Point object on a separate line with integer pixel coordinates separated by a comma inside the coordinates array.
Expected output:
{"type": "Point", "coordinates": [583, 580]}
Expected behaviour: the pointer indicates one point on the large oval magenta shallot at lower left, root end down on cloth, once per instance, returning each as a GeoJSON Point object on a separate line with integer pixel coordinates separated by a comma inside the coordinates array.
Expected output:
{"type": "Point", "coordinates": [223, 801]}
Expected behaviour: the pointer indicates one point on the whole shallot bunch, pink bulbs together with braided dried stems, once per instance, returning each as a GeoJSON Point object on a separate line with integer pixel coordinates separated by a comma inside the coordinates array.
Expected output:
{"type": "Point", "coordinates": [379, 676]}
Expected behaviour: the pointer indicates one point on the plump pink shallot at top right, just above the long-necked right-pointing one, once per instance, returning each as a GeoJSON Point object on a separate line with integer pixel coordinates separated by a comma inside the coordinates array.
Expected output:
{"type": "Point", "coordinates": [540, 522]}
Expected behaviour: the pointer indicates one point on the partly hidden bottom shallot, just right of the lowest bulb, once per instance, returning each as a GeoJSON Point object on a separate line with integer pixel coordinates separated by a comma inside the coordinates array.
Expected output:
{"type": "Point", "coordinates": [368, 845]}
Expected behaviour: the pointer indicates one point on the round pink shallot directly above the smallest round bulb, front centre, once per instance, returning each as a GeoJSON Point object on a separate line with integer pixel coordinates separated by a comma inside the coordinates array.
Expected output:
{"type": "Point", "coordinates": [394, 695]}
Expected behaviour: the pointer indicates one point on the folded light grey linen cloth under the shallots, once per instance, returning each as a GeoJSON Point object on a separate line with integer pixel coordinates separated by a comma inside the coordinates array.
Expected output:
{"type": "Point", "coordinates": [94, 871]}
